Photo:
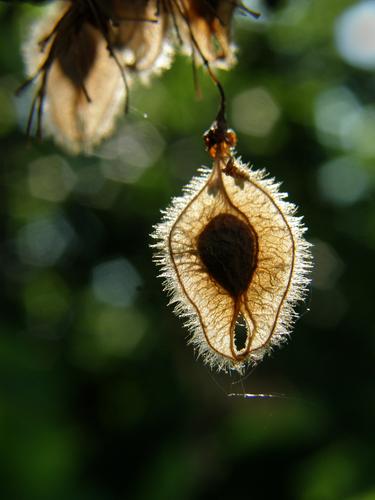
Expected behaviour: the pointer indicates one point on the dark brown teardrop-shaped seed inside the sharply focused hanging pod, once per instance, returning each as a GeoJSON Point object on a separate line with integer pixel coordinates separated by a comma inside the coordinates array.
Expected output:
{"type": "Point", "coordinates": [228, 249]}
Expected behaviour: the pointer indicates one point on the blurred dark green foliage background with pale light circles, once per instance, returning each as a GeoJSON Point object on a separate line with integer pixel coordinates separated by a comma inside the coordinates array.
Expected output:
{"type": "Point", "coordinates": [100, 397]}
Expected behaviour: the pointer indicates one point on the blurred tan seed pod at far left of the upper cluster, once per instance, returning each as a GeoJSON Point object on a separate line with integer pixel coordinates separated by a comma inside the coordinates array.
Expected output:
{"type": "Point", "coordinates": [80, 83]}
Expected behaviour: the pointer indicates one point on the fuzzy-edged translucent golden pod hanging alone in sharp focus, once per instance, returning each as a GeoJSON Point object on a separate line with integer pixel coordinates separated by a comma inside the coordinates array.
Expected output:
{"type": "Point", "coordinates": [235, 262]}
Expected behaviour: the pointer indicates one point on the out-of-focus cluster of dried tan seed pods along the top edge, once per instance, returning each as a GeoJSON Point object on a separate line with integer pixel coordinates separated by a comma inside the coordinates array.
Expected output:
{"type": "Point", "coordinates": [84, 54]}
